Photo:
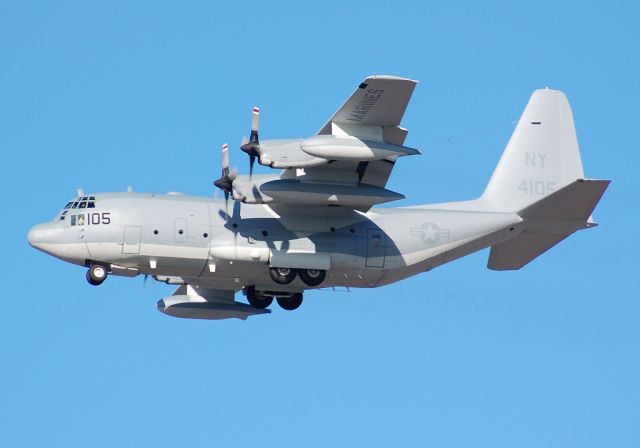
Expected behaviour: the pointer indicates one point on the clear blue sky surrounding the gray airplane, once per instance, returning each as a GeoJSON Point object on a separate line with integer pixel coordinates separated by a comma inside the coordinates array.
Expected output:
{"type": "Point", "coordinates": [106, 95]}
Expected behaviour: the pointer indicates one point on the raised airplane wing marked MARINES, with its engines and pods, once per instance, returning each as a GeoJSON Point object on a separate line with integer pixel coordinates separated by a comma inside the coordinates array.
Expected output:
{"type": "Point", "coordinates": [347, 163]}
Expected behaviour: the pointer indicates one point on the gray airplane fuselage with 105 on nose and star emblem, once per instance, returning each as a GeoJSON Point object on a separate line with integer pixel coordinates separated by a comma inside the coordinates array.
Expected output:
{"type": "Point", "coordinates": [178, 238]}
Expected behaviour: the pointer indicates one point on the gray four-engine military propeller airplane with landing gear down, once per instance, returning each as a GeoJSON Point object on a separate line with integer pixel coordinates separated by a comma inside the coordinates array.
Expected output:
{"type": "Point", "coordinates": [313, 224]}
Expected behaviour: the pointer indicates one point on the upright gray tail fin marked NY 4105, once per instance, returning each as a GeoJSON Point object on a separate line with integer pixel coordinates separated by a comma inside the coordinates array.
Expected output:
{"type": "Point", "coordinates": [541, 157]}
